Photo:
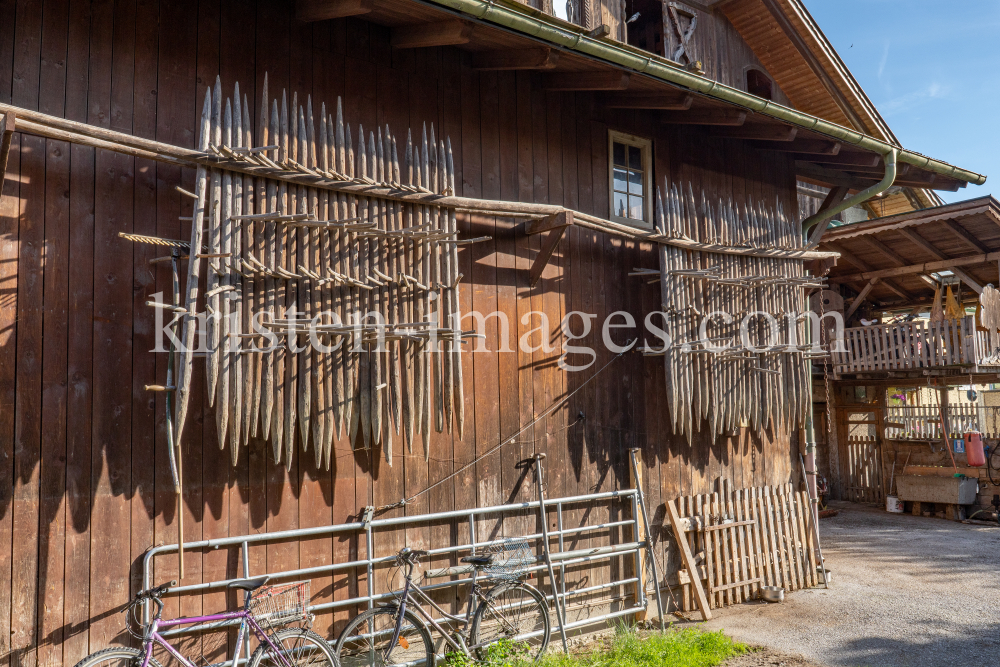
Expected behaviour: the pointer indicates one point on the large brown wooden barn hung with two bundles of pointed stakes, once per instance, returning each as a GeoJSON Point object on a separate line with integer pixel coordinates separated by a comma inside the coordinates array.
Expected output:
{"type": "Point", "coordinates": [420, 161]}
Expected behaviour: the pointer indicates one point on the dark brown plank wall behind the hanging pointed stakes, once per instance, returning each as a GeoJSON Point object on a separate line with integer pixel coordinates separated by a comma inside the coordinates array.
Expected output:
{"type": "Point", "coordinates": [77, 483]}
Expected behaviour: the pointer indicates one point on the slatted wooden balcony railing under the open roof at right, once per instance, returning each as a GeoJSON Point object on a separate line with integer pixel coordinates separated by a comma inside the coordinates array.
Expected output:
{"type": "Point", "coordinates": [897, 350]}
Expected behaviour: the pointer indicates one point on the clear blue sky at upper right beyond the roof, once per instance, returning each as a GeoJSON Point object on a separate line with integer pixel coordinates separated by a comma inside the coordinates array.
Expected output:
{"type": "Point", "coordinates": [933, 71]}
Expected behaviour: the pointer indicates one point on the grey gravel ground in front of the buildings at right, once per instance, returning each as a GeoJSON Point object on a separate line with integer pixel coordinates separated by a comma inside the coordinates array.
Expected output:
{"type": "Point", "coordinates": [906, 592]}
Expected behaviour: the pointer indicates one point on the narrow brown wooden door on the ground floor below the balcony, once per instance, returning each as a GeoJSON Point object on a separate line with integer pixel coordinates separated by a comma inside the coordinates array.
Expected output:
{"type": "Point", "coordinates": [862, 457]}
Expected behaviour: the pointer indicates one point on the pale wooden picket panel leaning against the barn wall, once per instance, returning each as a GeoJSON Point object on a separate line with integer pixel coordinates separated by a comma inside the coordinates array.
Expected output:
{"type": "Point", "coordinates": [743, 539]}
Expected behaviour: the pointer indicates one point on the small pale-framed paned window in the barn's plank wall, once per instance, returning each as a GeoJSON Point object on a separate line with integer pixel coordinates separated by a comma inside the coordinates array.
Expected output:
{"type": "Point", "coordinates": [631, 179]}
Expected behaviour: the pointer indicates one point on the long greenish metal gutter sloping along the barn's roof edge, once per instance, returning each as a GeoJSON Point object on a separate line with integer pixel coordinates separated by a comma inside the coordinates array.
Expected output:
{"type": "Point", "coordinates": [571, 37]}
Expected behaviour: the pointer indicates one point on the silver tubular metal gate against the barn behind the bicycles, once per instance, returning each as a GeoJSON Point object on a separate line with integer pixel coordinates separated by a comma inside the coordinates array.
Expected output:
{"type": "Point", "coordinates": [613, 540]}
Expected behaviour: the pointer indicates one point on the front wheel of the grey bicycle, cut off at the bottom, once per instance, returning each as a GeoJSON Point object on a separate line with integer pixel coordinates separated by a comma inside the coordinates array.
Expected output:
{"type": "Point", "coordinates": [365, 642]}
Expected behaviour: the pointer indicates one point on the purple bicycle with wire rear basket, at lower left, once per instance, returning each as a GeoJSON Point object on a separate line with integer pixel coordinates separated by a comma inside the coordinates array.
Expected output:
{"type": "Point", "coordinates": [263, 608]}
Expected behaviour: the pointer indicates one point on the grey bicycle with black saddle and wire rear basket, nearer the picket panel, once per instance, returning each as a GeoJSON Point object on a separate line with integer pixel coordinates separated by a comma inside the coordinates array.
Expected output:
{"type": "Point", "coordinates": [393, 635]}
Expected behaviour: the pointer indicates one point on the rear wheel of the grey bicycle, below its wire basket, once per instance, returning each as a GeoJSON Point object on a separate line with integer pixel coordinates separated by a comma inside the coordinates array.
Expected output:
{"type": "Point", "coordinates": [513, 611]}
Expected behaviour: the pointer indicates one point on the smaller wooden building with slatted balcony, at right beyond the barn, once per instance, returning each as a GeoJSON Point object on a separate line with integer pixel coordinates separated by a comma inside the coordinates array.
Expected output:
{"type": "Point", "coordinates": [902, 371]}
